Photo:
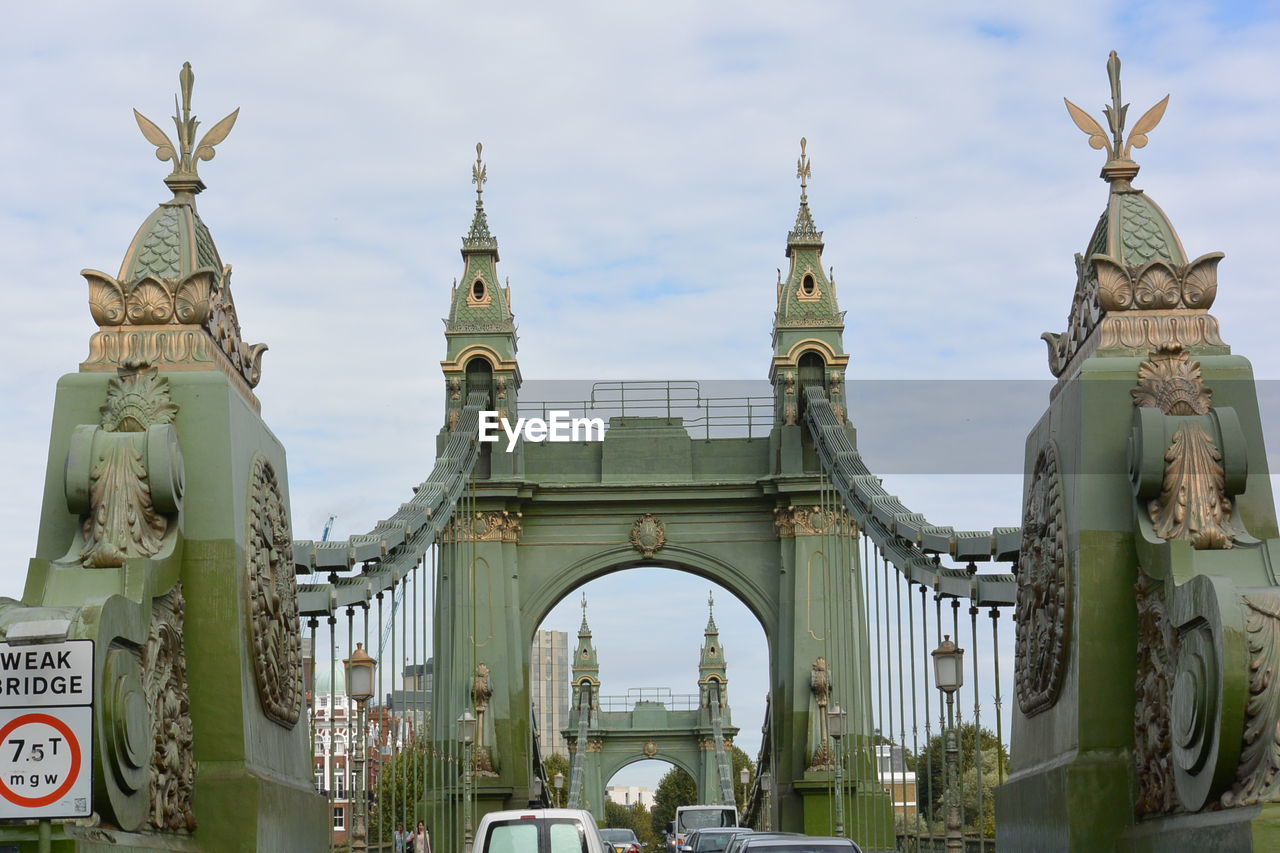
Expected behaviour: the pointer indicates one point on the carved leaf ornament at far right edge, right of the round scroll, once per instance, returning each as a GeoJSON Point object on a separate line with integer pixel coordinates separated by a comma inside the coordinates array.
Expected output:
{"type": "Point", "coordinates": [1258, 776]}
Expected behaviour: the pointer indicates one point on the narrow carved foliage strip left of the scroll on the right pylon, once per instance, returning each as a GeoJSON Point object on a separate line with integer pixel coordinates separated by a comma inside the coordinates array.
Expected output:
{"type": "Point", "coordinates": [1155, 685]}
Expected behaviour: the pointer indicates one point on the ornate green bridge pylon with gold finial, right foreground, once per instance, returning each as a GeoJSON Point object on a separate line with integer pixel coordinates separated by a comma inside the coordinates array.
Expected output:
{"type": "Point", "coordinates": [1149, 615]}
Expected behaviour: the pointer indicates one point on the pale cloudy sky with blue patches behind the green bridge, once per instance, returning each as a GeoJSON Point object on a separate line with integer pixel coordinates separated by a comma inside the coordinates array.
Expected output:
{"type": "Point", "coordinates": [642, 166]}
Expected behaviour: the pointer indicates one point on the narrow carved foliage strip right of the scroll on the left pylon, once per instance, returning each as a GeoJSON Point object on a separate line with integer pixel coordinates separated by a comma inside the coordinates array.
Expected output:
{"type": "Point", "coordinates": [173, 773]}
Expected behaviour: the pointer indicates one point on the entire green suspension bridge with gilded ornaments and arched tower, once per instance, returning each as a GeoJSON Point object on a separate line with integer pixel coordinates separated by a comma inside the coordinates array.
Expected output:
{"type": "Point", "coordinates": [1140, 713]}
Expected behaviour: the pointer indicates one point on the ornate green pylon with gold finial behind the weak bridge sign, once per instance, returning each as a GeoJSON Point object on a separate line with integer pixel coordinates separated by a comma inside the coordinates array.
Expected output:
{"type": "Point", "coordinates": [164, 537]}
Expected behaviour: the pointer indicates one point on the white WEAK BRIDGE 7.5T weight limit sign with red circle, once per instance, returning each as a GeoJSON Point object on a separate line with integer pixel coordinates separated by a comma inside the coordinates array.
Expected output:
{"type": "Point", "coordinates": [47, 729]}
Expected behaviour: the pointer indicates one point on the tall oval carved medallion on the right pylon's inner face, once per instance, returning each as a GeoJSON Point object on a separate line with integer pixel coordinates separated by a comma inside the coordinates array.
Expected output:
{"type": "Point", "coordinates": [1044, 591]}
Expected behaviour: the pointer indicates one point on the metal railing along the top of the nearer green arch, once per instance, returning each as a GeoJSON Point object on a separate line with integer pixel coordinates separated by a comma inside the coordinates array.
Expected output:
{"type": "Point", "coordinates": [702, 416]}
